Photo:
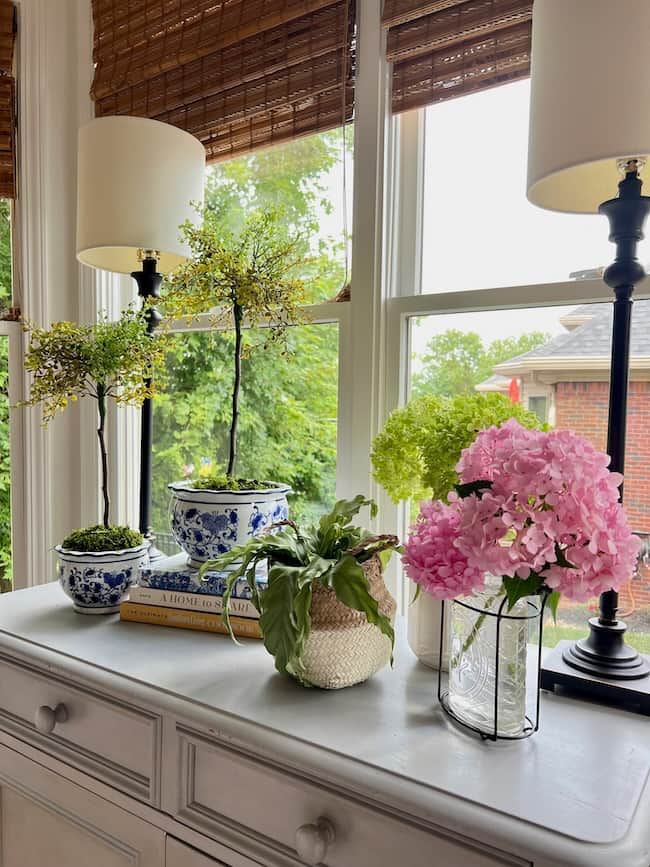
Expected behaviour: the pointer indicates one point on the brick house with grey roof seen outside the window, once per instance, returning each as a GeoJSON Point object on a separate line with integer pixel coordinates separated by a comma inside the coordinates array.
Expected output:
{"type": "Point", "coordinates": [566, 382]}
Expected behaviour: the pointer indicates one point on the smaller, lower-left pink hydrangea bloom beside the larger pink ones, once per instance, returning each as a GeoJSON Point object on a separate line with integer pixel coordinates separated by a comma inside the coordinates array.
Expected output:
{"type": "Point", "coordinates": [431, 558]}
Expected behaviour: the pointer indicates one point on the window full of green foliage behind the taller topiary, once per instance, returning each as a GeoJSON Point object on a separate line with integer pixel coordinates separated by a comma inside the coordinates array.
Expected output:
{"type": "Point", "coordinates": [289, 405]}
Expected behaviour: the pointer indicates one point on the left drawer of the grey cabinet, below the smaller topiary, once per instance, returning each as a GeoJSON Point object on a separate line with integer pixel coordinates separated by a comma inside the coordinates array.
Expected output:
{"type": "Point", "coordinates": [110, 740]}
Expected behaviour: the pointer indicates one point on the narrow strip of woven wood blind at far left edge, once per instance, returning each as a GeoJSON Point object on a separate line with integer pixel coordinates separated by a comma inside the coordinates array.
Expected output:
{"type": "Point", "coordinates": [7, 101]}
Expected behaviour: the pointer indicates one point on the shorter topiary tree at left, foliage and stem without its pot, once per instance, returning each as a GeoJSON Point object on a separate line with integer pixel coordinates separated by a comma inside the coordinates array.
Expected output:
{"type": "Point", "coordinates": [108, 360]}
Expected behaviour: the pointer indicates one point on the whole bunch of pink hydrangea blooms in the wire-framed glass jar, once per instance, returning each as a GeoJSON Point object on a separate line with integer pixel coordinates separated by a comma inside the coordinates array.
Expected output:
{"type": "Point", "coordinates": [551, 498]}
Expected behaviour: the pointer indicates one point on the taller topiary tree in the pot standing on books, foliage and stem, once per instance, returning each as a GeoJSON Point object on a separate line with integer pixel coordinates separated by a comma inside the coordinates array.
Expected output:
{"type": "Point", "coordinates": [246, 278]}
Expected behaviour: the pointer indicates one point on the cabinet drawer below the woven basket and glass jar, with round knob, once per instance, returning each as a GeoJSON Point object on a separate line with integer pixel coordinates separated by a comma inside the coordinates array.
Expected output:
{"type": "Point", "coordinates": [222, 787]}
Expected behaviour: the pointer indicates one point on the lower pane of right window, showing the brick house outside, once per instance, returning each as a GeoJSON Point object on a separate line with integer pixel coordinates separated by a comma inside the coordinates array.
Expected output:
{"type": "Point", "coordinates": [563, 351]}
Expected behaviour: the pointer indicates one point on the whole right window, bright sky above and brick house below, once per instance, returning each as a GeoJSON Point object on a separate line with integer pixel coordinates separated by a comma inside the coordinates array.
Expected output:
{"type": "Point", "coordinates": [475, 230]}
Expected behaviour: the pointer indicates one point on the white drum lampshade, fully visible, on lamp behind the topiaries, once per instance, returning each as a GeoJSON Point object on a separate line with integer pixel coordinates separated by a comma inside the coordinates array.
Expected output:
{"type": "Point", "coordinates": [137, 182]}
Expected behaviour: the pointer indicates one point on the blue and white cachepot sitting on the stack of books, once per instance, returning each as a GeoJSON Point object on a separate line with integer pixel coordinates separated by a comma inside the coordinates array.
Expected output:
{"type": "Point", "coordinates": [208, 523]}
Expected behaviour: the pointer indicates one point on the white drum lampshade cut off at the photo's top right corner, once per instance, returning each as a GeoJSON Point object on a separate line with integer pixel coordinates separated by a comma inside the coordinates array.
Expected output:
{"type": "Point", "coordinates": [590, 99]}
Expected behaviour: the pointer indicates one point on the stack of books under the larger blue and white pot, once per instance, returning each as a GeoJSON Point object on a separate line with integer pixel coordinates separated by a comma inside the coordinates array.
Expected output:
{"type": "Point", "coordinates": [170, 593]}
